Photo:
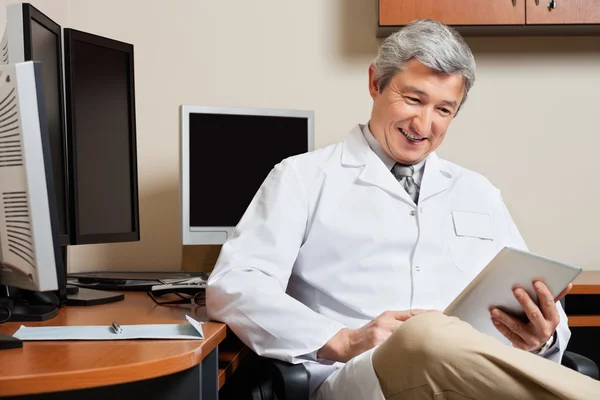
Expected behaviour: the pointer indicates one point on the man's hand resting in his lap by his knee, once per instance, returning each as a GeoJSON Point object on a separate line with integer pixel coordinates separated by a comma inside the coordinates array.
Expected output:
{"type": "Point", "coordinates": [347, 343]}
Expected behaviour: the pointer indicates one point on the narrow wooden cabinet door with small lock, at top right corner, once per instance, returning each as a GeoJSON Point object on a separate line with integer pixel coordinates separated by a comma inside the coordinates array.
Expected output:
{"type": "Point", "coordinates": [564, 12]}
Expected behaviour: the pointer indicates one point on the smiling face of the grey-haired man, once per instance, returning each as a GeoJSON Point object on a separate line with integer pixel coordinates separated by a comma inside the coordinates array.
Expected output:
{"type": "Point", "coordinates": [410, 117]}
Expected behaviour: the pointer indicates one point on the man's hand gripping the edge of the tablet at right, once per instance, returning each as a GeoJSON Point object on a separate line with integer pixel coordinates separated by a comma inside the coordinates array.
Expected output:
{"type": "Point", "coordinates": [543, 319]}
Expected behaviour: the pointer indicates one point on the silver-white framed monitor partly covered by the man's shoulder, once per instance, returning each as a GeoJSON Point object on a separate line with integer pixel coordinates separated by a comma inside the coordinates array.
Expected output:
{"type": "Point", "coordinates": [226, 154]}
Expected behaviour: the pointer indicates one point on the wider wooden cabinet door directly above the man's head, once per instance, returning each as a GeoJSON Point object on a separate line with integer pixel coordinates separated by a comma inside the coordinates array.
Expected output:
{"type": "Point", "coordinates": [453, 12]}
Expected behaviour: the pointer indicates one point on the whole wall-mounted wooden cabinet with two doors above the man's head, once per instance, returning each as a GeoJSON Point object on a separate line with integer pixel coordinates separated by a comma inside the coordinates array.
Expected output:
{"type": "Point", "coordinates": [495, 17]}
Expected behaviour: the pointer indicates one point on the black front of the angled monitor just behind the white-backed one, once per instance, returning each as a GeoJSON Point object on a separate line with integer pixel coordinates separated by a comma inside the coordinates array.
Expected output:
{"type": "Point", "coordinates": [45, 46]}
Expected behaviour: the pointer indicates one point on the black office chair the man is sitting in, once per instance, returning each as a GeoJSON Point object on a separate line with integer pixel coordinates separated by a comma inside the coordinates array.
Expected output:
{"type": "Point", "coordinates": [281, 380]}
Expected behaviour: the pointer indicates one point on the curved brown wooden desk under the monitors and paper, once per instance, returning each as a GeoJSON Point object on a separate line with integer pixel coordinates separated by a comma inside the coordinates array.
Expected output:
{"type": "Point", "coordinates": [157, 369]}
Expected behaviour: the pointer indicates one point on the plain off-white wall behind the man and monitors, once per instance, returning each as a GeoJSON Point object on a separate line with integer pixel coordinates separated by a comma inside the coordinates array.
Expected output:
{"type": "Point", "coordinates": [529, 124]}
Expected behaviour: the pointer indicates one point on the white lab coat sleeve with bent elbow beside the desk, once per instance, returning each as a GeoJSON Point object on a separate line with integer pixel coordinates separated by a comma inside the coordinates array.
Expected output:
{"type": "Point", "coordinates": [246, 289]}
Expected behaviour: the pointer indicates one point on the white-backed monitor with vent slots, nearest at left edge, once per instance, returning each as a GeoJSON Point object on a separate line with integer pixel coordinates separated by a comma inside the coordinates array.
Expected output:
{"type": "Point", "coordinates": [30, 255]}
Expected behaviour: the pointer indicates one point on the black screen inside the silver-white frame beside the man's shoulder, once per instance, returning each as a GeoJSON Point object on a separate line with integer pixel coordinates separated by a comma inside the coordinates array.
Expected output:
{"type": "Point", "coordinates": [230, 157]}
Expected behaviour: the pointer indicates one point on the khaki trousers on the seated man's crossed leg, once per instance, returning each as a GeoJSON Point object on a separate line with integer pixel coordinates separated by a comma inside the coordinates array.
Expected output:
{"type": "Point", "coordinates": [432, 356]}
